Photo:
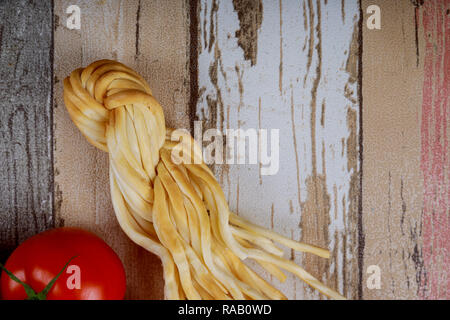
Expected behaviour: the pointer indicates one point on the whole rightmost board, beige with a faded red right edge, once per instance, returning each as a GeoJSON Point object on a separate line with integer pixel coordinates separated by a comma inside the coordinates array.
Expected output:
{"type": "Point", "coordinates": [405, 167]}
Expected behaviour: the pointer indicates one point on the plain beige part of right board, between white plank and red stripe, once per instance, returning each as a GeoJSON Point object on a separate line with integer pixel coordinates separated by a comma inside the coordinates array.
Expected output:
{"type": "Point", "coordinates": [392, 179]}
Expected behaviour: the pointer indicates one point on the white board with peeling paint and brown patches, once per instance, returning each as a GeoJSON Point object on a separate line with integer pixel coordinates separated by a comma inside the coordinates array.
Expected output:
{"type": "Point", "coordinates": [292, 66]}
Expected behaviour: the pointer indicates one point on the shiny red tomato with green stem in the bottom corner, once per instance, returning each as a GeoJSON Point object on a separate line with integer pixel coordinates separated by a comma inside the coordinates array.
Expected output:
{"type": "Point", "coordinates": [96, 268]}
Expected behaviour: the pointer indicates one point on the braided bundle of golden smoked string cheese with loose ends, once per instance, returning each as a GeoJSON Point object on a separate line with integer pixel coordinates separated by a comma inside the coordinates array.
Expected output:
{"type": "Point", "coordinates": [167, 200]}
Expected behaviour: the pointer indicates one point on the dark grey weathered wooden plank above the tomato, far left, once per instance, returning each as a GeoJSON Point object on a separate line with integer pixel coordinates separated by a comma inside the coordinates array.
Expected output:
{"type": "Point", "coordinates": [26, 171]}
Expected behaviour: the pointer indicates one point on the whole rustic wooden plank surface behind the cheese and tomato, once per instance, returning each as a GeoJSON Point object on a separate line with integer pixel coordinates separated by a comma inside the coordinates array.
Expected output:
{"type": "Point", "coordinates": [362, 117]}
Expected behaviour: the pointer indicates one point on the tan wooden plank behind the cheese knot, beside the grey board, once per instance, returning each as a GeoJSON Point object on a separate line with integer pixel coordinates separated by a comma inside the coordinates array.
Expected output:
{"type": "Point", "coordinates": [151, 37]}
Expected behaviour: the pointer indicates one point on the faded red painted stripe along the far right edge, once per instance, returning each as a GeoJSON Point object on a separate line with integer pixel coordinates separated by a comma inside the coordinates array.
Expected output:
{"type": "Point", "coordinates": [434, 153]}
